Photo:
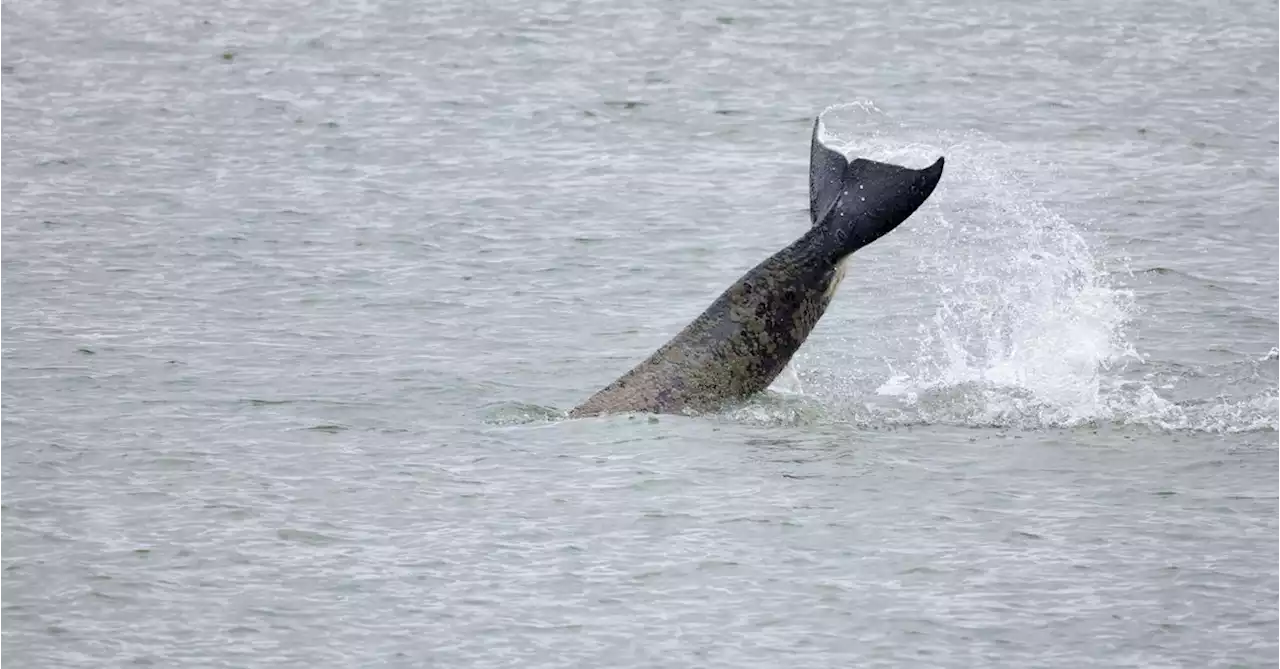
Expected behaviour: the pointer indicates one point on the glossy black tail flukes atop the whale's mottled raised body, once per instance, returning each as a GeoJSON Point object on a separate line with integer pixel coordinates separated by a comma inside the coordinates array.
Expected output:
{"type": "Point", "coordinates": [863, 200]}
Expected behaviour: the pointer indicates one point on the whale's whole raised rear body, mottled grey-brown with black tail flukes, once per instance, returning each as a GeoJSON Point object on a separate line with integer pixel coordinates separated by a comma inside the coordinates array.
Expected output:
{"type": "Point", "coordinates": [740, 345]}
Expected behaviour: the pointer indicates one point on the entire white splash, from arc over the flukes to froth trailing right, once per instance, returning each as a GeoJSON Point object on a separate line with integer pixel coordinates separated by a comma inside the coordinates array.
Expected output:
{"type": "Point", "coordinates": [1027, 328]}
